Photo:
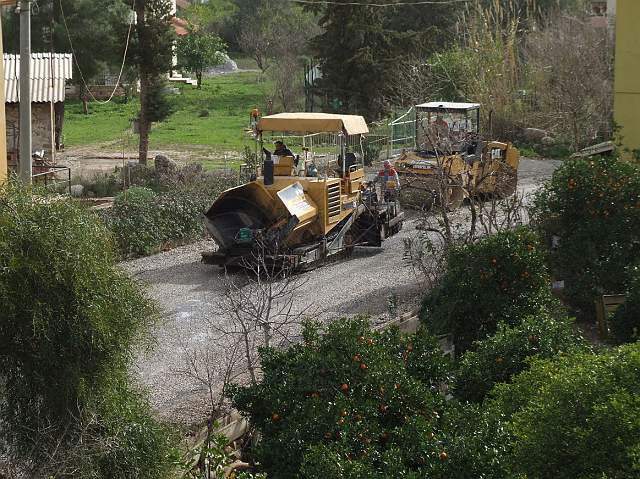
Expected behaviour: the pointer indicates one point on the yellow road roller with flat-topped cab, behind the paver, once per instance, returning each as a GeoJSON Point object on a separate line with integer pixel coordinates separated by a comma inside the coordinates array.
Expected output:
{"type": "Point", "coordinates": [451, 161]}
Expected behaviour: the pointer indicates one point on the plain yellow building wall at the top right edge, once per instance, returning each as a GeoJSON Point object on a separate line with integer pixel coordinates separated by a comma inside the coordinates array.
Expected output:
{"type": "Point", "coordinates": [627, 72]}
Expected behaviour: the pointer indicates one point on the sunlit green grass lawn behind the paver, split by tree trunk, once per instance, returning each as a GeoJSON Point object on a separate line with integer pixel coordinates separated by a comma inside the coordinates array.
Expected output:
{"type": "Point", "coordinates": [227, 99]}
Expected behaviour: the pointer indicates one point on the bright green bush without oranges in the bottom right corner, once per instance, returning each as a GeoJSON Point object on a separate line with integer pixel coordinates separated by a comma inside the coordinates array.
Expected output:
{"type": "Point", "coordinates": [575, 416]}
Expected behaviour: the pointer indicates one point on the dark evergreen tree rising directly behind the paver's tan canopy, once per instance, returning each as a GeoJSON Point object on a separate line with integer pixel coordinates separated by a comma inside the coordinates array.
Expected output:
{"type": "Point", "coordinates": [361, 47]}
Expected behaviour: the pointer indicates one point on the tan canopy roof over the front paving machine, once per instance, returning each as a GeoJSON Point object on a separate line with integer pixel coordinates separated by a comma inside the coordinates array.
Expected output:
{"type": "Point", "coordinates": [313, 123]}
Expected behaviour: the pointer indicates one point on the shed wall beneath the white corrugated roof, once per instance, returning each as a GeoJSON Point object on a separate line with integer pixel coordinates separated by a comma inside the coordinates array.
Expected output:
{"type": "Point", "coordinates": [42, 132]}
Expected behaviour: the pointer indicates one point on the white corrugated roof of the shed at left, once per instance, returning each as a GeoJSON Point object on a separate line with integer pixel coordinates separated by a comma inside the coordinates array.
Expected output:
{"type": "Point", "coordinates": [49, 74]}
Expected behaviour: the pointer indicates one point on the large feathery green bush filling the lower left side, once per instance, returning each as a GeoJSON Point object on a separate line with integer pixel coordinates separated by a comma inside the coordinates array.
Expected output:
{"type": "Point", "coordinates": [71, 323]}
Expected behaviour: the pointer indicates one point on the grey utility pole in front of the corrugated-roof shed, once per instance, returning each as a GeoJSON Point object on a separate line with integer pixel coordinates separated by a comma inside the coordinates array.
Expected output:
{"type": "Point", "coordinates": [25, 91]}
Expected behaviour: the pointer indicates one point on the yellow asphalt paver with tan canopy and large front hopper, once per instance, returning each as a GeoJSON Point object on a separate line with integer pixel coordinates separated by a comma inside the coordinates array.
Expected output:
{"type": "Point", "coordinates": [306, 208]}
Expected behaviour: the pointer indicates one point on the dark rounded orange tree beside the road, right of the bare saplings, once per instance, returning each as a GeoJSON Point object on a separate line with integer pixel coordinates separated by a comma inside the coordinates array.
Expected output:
{"type": "Point", "coordinates": [501, 278]}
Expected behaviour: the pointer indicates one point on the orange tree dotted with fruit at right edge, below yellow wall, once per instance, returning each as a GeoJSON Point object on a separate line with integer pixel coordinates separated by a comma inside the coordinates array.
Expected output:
{"type": "Point", "coordinates": [593, 207]}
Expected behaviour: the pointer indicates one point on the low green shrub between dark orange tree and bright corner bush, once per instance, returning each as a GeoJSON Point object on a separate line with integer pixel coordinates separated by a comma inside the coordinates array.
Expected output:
{"type": "Point", "coordinates": [500, 357]}
